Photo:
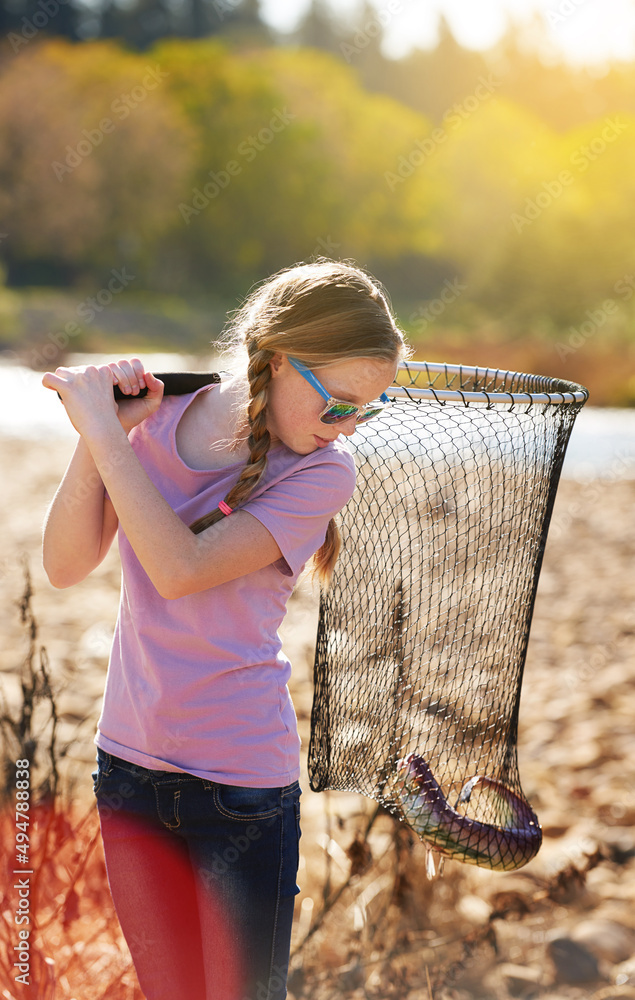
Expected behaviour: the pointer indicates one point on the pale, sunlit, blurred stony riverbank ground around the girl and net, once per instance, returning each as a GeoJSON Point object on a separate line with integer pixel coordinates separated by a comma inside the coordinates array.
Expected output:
{"type": "Point", "coordinates": [576, 745]}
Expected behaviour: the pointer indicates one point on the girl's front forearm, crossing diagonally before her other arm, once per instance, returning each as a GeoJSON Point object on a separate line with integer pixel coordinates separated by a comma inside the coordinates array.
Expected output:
{"type": "Point", "coordinates": [163, 544]}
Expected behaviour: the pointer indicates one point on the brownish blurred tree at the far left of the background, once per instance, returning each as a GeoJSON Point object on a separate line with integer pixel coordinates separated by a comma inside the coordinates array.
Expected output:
{"type": "Point", "coordinates": [93, 152]}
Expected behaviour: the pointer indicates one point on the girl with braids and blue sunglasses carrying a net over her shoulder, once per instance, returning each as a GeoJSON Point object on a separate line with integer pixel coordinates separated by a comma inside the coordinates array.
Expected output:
{"type": "Point", "coordinates": [220, 497]}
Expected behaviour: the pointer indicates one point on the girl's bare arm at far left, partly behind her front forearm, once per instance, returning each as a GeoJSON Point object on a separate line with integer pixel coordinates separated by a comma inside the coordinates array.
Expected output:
{"type": "Point", "coordinates": [73, 538]}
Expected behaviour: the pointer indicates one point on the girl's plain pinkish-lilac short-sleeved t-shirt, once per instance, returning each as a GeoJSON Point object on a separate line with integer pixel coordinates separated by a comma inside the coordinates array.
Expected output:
{"type": "Point", "coordinates": [199, 684]}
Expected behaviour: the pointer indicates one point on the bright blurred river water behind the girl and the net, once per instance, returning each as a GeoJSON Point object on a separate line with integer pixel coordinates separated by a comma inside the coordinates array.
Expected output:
{"type": "Point", "coordinates": [602, 444]}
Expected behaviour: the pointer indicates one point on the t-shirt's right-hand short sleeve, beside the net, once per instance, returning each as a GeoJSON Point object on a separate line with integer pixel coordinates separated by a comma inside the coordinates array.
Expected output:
{"type": "Point", "coordinates": [296, 510]}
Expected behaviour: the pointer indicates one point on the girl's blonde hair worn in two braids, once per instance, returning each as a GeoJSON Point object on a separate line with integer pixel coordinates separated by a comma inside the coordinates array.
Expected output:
{"type": "Point", "coordinates": [322, 312]}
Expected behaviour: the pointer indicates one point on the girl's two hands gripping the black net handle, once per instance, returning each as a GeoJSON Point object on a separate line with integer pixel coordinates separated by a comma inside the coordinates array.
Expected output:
{"type": "Point", "coordinates": [87, 394]}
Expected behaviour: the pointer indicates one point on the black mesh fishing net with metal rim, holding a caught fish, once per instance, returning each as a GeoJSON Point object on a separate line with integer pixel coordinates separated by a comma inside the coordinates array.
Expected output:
{"type": "Point", "coordinates": [423, 634]}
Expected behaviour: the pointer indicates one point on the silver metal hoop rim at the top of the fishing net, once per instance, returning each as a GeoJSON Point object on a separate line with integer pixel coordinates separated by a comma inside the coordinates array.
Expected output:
{"type": "Point", "coordinates": [565, 392]}
